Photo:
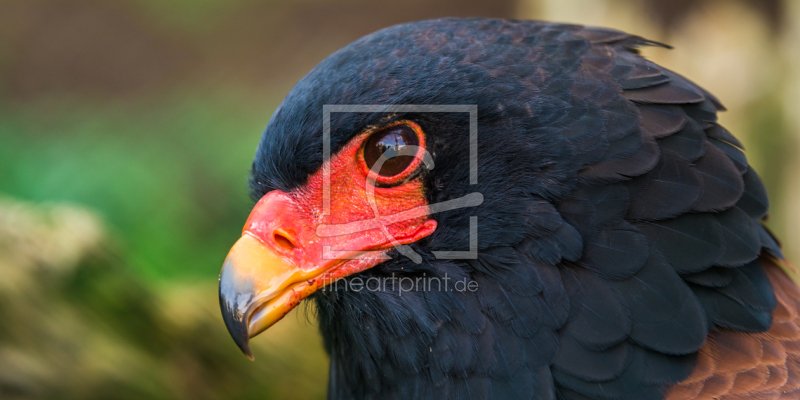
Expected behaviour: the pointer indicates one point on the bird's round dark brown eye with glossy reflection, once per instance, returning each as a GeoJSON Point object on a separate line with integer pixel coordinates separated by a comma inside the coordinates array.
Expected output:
{"type": "Point", "coordinates": [393, 143]}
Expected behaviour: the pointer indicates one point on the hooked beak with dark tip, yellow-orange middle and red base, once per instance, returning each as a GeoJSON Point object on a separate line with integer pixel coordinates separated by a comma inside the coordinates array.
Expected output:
{"type": "Point", "coordinates": [283, 258]}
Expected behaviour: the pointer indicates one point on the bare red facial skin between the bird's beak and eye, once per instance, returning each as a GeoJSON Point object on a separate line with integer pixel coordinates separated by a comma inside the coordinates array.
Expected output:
{"type": "Point", "coordinates": [295, 226]}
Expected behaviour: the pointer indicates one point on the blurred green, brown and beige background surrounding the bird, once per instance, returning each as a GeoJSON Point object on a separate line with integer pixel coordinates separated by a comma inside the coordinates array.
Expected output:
{"type": "Point", "coordinates": [127, 128]}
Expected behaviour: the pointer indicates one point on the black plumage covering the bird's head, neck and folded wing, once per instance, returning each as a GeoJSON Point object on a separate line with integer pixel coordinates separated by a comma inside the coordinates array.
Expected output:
{"type": "Point", "coordinates": [620, 221]}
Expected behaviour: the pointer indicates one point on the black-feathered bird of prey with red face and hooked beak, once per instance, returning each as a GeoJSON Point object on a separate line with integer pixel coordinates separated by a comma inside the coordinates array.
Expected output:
{"type": "Point", "coordinates": [509, 209]}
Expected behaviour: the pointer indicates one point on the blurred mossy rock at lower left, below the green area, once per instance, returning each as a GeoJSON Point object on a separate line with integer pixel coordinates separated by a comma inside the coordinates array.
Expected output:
{"type": "Point", "coordinates": [76, 324]}
